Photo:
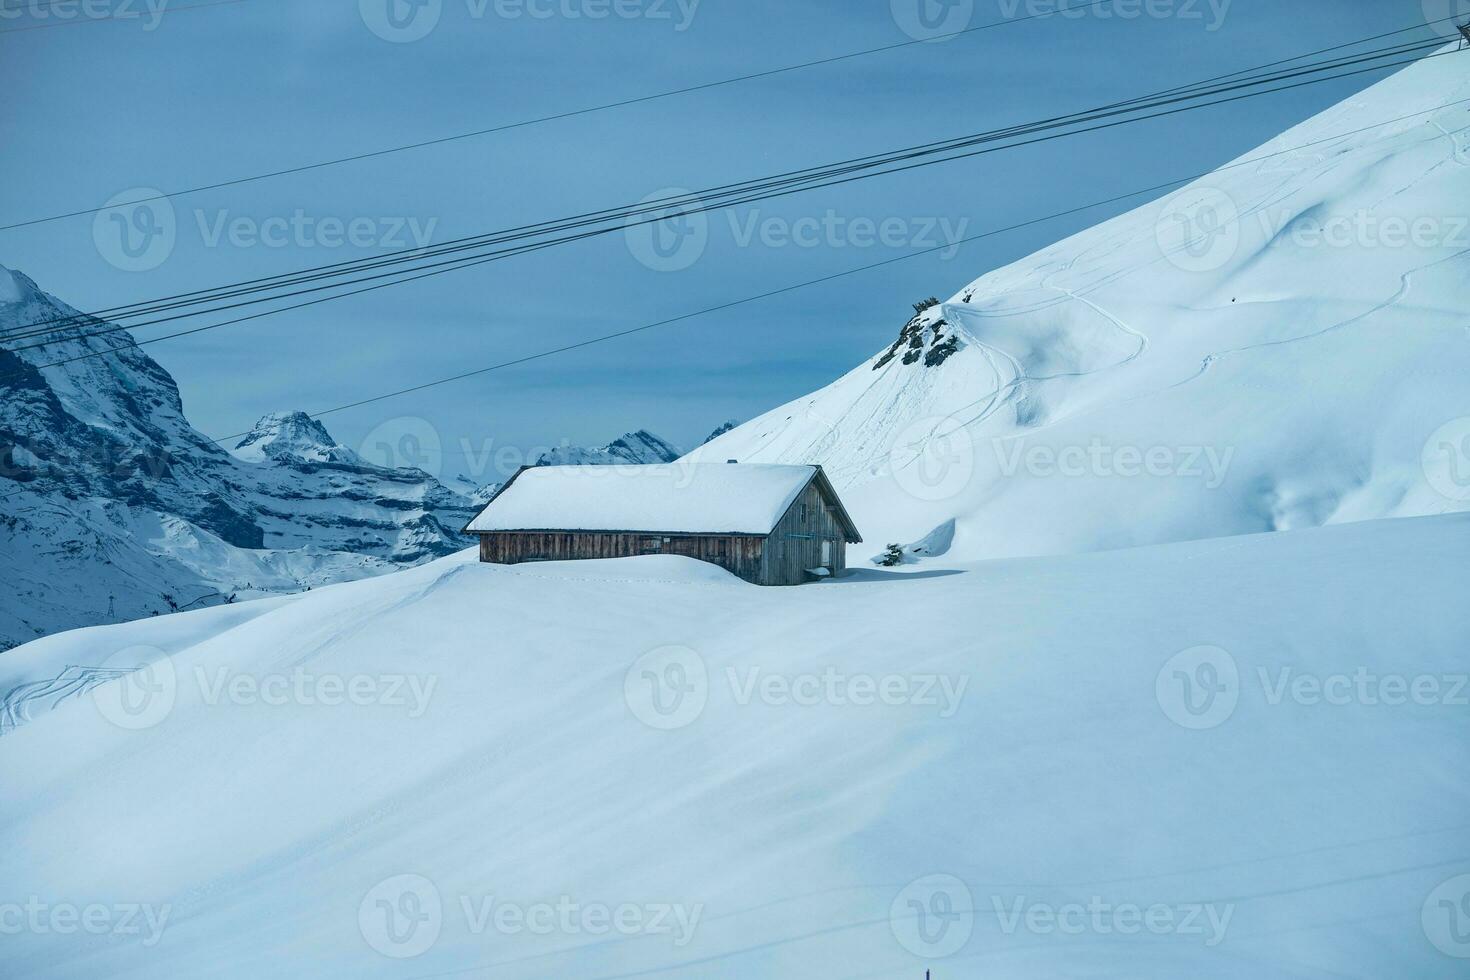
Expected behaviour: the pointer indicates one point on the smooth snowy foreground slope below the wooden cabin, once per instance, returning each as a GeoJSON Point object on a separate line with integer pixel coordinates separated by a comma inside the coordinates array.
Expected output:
{"type": "Point", "coordinates": [1033, 757]}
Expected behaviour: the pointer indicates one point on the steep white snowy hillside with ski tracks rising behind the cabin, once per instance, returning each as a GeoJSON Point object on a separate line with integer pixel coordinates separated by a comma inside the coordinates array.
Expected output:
{"type": "Point", "coordinates": [1278, 346]}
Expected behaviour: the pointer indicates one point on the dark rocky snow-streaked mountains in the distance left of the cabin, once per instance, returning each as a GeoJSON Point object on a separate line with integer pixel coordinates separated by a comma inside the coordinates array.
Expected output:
{"type": "Point", "coordinates": [114, 508]}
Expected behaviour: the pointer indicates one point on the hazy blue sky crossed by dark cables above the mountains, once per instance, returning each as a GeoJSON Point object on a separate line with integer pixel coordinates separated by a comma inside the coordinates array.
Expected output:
{"type": "Point", "coordinates": [196, 96]}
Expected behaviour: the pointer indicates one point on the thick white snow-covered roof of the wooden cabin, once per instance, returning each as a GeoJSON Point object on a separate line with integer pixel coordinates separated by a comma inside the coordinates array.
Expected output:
{"type": "Point", "coordinates": [700, 499]}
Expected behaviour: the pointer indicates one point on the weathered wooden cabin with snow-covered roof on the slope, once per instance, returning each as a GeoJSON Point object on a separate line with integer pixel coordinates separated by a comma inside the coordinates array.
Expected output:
{"type": "Point", "coordinates": [770, 525]}
